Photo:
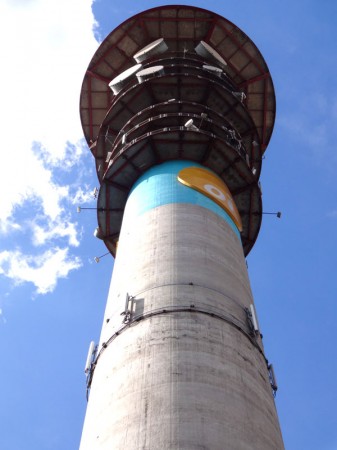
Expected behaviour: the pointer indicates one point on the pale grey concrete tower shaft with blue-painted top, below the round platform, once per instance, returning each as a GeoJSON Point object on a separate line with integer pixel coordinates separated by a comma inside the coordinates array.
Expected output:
{"type": "Point", "coordinates": [179, 366]}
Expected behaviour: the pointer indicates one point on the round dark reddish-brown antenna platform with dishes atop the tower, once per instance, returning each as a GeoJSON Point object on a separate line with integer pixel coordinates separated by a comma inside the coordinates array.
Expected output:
{"type": "Point", "coordinates": [177, 83]}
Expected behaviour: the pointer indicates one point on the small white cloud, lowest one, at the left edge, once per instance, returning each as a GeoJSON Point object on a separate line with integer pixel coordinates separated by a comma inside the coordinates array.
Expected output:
{"type": "Point", "coordinates": [42, 270]}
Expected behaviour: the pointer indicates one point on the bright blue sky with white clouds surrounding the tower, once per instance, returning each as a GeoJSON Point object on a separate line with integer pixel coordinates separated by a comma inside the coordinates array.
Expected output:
{"type": "Point", "coordinates": [52, 293]}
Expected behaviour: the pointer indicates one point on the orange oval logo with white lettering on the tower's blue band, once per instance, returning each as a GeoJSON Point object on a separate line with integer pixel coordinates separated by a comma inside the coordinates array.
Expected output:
{"type": "Point", "coordinates": [213, 187]}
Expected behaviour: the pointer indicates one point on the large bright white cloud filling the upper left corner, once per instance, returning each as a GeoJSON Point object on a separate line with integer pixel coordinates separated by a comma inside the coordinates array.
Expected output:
{"type": "Point", "coordinates": [49, 45]}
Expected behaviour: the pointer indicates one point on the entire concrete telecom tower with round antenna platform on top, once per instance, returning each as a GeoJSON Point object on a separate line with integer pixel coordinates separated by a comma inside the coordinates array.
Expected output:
{"type": "Point", "coordinates": [178, 107]}
